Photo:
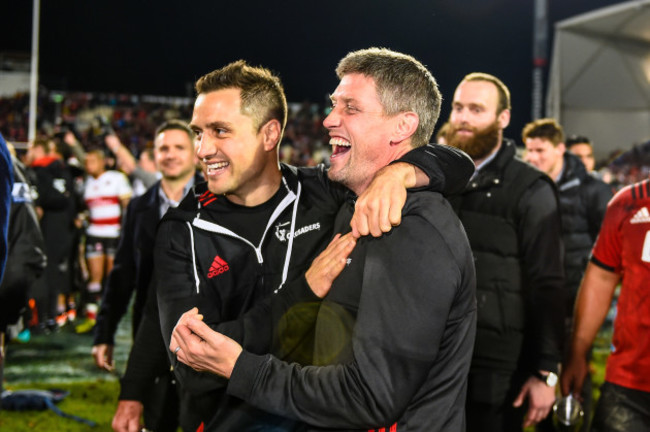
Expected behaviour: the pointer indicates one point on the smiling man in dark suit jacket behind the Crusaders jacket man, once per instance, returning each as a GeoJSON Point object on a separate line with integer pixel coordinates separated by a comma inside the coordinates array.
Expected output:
{"type": "Point", "coordinates": [174, 158]}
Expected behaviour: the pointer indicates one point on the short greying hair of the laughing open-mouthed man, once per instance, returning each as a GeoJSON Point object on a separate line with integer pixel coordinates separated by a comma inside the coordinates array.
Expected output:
{"type": "Point", "coordinates": [403, 84]}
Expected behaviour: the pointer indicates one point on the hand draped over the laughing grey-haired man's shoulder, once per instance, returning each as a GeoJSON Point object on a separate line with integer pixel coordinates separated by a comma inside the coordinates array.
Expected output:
{"type": "Point", "coordinates": [379, 208]}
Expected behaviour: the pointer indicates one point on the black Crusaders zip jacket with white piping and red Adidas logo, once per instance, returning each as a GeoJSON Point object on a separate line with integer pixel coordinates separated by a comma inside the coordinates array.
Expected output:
{"type": "Point", "coordinates": [200, 263]}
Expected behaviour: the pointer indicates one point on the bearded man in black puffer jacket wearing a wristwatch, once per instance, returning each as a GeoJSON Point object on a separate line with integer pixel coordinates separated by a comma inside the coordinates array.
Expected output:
{"type": "Point", "coordinates": [510, 212]}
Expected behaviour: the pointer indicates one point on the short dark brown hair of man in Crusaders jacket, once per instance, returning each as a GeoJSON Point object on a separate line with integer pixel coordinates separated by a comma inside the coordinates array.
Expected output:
{"type": "Point", "coordinates": [262, 94]}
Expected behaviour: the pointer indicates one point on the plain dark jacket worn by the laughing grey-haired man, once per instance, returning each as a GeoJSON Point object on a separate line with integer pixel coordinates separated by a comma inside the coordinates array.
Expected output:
{"type": "Point", "coordinates": [394, 336]}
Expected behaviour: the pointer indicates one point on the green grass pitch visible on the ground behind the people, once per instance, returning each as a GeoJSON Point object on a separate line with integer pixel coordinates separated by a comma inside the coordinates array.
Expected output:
{"type": "Point", "coordinates": [62, 360]}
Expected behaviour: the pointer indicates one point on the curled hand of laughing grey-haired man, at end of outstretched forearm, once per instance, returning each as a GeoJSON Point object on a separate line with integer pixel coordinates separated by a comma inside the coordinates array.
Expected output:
{"type": "Point", "coordinates": [202, 348]}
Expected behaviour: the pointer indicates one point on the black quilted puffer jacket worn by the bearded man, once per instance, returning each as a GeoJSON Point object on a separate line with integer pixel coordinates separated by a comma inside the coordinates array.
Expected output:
{"type": "Point", "coordinates": [510, 213]}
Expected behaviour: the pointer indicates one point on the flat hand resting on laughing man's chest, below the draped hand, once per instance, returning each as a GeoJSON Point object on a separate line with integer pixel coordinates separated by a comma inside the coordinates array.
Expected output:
{"type": "Point", "coordinates": [329, 264]}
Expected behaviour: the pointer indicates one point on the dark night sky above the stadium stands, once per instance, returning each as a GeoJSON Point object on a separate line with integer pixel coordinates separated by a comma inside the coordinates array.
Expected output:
{"type": "Point", "coordinates": [161, 47]}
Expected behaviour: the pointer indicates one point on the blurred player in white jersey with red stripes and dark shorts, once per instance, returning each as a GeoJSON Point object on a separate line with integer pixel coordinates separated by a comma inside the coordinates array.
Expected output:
{"type": "Point", "coordinates": [106, 194]}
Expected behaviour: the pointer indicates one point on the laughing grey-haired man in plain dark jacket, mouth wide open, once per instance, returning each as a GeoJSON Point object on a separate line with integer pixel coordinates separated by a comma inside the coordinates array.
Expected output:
{"type": "Point", "coordinates": [393, 336]}
